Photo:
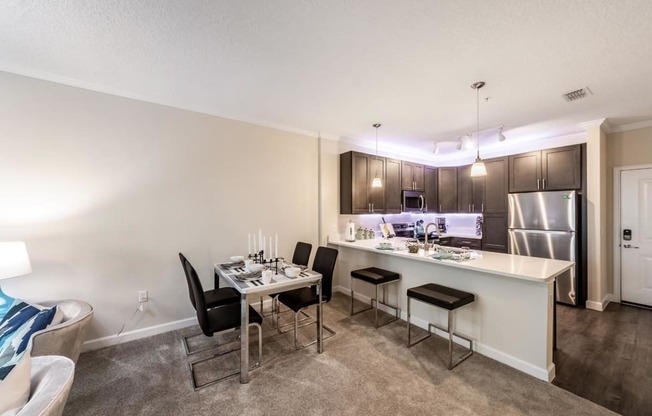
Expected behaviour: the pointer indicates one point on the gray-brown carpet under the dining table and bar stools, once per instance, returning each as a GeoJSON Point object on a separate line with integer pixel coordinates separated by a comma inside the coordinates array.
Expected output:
{"type": "Point", "coordinates": [363, 371]}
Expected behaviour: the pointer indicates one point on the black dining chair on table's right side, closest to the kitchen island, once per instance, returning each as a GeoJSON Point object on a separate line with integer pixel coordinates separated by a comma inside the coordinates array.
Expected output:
{"type": "Point", "coordinates": [298, 299]}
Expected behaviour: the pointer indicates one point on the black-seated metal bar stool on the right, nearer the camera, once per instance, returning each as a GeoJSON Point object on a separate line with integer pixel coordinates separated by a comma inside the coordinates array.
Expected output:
{"type": "Point", "coordinates": [446, 298]}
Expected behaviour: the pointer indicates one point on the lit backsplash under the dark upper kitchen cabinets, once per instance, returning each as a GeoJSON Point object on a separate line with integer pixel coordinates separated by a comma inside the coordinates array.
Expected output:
{"type": "Point", "coordinates": [465, 224]}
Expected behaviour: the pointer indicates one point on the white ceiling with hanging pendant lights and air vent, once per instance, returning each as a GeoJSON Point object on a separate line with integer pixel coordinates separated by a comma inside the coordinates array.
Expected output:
{"type": "Point", "coordinates": [336, 67]}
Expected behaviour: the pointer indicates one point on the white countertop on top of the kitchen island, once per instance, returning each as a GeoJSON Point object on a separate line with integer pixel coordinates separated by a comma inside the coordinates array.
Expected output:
{"type": "Point", "coordinates": [509, 265]}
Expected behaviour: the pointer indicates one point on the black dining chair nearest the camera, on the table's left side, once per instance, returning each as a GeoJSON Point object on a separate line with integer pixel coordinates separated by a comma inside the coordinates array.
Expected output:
{"type": "Point", "coordinates": [217, 320]}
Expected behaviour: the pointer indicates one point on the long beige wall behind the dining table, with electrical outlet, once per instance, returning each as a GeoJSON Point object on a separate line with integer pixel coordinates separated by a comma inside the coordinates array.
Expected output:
{"type": "Point", "coordinates": [106, 191]}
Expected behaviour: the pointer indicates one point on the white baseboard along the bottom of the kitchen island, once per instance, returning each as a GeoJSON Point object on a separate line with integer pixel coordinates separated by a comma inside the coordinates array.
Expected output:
{"type": "Point", "coordinates": [545, 374]}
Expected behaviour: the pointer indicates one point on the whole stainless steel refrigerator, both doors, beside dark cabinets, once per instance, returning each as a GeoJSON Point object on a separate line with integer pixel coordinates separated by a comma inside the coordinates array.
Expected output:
{"type": "Point", "coordinates": [544, 224]}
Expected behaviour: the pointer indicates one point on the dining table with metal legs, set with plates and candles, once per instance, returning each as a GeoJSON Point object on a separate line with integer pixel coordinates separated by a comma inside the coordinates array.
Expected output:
{"type": "Point", "coordinates": [250, 287]}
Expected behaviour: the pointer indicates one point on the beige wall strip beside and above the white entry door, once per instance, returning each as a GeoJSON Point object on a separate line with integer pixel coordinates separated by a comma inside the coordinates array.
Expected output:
{"type": "Point", "coordinates": [628, 148]}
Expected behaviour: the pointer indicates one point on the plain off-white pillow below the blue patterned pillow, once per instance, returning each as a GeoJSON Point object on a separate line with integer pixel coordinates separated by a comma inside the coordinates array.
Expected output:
{"type": "Point", "coordinates": [15, 388]}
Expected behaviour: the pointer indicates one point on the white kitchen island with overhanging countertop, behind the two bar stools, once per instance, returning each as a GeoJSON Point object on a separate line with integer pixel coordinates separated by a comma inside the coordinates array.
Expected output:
{"type": "Point", "coordinates": [511, 319]}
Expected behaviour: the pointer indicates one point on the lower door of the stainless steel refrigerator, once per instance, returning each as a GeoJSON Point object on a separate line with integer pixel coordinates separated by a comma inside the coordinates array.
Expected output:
{"type": "Point", "coordinates": [558, 245]}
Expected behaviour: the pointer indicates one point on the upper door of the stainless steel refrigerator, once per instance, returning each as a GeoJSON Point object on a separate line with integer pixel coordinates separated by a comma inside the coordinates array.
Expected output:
{"type": "Point", "coordinates": [543, 210]}
